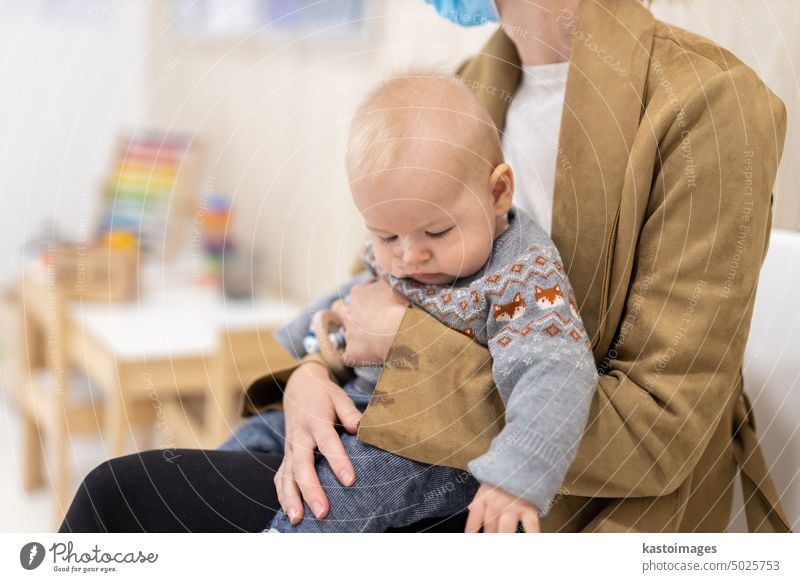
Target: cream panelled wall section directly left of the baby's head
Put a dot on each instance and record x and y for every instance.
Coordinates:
(274, 111)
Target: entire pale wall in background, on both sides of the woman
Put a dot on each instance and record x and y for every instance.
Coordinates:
(272, 111)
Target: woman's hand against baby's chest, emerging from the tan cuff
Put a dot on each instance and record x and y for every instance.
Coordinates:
(371, 320)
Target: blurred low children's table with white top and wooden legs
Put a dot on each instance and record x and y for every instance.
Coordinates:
(164, 344)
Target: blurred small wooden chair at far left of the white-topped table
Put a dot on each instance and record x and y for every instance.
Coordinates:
(56, 402)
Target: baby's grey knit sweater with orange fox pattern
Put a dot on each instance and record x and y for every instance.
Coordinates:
(521, 306)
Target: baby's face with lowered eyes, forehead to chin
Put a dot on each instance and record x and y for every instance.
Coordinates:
(431, 224)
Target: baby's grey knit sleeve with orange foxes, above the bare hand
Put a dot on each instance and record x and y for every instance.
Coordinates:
(546, 376)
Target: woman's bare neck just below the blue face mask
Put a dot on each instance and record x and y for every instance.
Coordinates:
(542, 30)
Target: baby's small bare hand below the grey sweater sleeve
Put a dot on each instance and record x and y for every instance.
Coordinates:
(499, 511)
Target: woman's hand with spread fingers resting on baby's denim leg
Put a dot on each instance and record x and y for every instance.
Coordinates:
(312, 403)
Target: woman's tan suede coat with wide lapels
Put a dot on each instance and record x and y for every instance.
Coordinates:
(668, 152)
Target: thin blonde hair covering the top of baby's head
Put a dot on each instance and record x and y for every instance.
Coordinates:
(414, 110)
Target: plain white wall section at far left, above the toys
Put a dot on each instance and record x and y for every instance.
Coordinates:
(71, 74)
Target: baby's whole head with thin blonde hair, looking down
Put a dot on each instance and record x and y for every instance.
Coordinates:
(427, 174)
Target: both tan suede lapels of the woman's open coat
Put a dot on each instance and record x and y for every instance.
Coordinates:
(611, 47)
